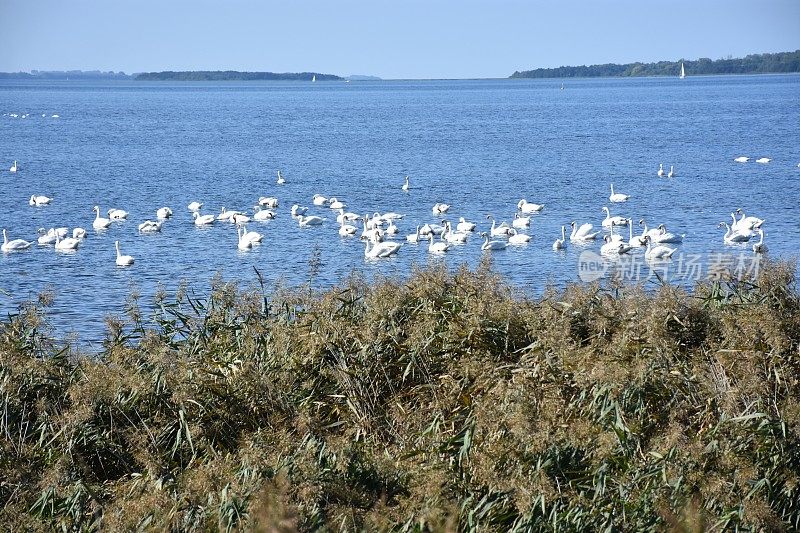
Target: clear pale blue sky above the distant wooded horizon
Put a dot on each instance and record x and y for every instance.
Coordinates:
(390, 39)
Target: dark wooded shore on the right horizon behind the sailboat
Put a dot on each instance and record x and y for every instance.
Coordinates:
(781, 62)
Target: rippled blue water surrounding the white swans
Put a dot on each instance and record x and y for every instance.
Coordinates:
(477, 145)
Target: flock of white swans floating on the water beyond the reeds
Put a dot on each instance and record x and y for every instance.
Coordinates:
(381, 234)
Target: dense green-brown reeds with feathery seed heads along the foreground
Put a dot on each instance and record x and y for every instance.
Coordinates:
(441, 402)
